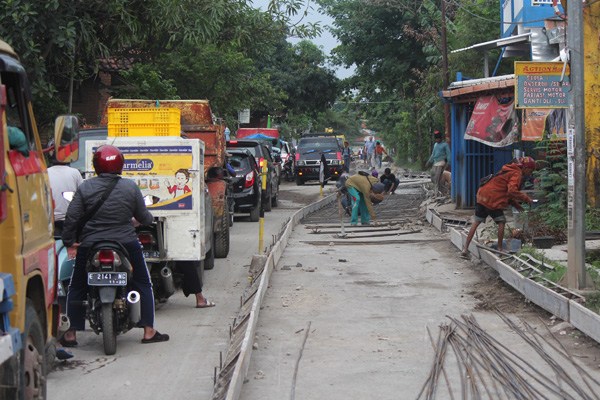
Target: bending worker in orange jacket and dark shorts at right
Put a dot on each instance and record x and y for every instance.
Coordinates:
(497, 194)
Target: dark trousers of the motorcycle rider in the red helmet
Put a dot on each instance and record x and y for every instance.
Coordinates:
(78, 288)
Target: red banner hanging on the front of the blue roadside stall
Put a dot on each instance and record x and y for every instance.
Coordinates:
(493, 123)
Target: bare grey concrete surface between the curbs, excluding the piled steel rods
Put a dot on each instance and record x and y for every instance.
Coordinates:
(348, 321)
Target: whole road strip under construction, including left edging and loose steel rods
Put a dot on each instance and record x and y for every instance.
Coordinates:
(390, 311)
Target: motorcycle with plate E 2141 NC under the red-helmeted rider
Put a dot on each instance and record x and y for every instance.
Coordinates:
(112, 306)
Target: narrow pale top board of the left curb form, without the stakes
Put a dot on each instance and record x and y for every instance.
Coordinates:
(240, 369)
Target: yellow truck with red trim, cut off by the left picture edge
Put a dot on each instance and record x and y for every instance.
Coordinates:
(26, 235)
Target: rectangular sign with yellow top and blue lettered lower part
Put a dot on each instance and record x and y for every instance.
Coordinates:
(539, 85)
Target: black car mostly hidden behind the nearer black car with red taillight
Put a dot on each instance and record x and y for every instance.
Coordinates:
(263, 155)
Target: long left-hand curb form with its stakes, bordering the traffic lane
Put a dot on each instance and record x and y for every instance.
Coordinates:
(232, 375)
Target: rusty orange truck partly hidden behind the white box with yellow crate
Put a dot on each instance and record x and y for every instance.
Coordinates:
(197, 123)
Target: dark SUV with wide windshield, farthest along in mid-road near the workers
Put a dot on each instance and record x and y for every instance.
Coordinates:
(308, 158)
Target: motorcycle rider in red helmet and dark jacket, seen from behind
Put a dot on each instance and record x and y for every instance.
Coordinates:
(112, 221)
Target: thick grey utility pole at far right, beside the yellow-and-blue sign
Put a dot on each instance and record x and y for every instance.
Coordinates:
(576, 275)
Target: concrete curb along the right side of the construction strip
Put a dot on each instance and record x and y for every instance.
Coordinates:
(558, 304)
